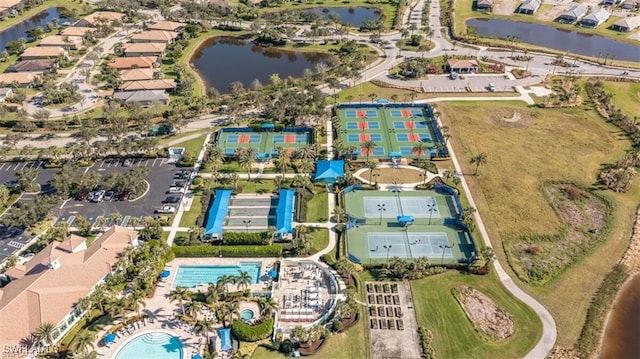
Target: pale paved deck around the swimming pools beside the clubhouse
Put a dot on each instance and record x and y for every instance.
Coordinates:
(161, 311)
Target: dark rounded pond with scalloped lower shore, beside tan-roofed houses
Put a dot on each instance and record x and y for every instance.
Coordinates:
(223, 60)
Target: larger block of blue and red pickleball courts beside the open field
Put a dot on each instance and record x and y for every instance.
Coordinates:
(395, 129)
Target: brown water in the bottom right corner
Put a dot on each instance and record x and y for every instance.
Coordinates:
(621, 333)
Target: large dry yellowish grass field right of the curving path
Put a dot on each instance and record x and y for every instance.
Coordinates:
(545, 145)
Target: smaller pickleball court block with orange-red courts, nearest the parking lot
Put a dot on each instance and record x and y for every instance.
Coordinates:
(264, 143)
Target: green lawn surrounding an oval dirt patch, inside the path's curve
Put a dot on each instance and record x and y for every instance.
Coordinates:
(453, 334)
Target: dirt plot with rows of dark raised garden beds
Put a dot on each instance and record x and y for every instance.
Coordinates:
(392, 321)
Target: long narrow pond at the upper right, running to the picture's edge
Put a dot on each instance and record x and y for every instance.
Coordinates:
(558, 39)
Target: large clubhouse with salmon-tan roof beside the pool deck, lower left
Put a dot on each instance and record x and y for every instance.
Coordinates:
(47, 288)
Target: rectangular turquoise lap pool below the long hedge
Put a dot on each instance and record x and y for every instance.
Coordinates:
(192, 276)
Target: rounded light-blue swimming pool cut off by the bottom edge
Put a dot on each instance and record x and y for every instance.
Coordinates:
(152, 345)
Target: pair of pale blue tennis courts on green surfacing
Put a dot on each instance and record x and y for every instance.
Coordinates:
(374, 234)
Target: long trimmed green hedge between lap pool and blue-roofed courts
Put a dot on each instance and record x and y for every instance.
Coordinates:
(228, 251)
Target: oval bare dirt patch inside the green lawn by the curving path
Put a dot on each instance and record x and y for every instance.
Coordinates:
(485, 315)
